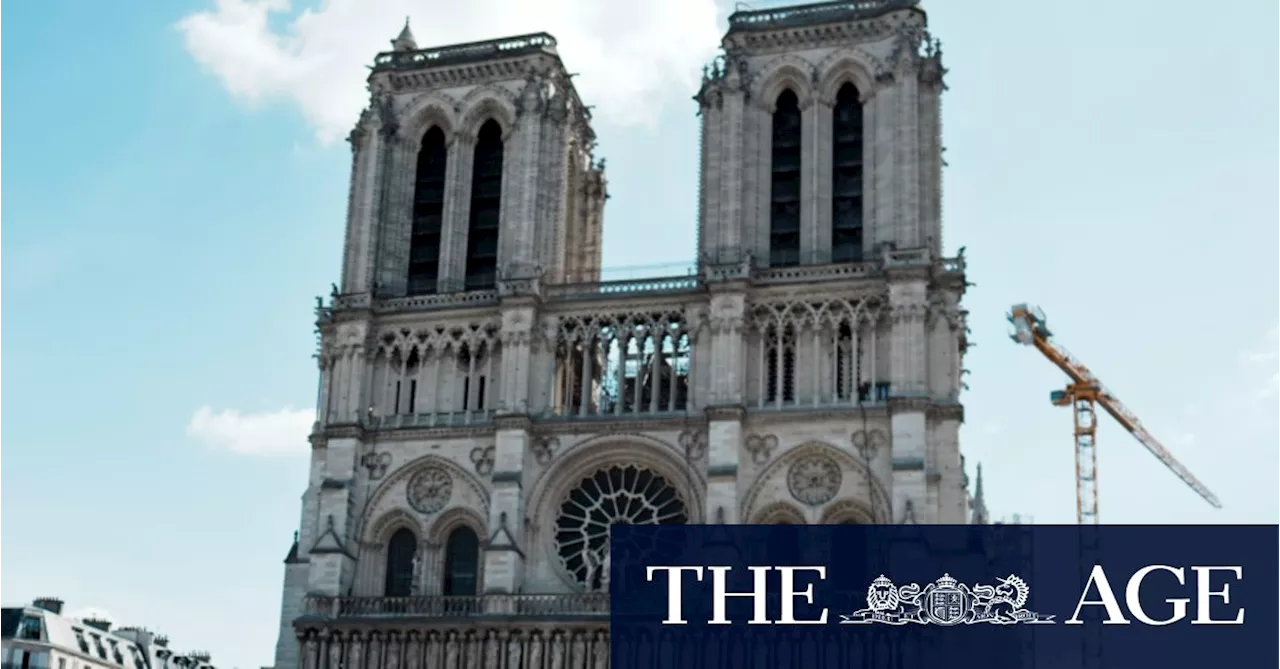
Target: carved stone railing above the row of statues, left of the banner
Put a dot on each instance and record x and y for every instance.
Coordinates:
(559, 606)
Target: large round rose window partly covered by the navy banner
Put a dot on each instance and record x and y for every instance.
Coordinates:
(619, 494)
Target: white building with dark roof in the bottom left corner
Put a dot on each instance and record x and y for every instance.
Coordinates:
(42, 638)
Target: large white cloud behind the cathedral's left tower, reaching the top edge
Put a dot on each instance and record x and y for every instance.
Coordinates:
(633, 58)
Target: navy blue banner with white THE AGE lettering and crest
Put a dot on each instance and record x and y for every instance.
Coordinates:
(945, 597)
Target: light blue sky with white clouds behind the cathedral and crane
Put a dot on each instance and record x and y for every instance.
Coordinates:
(175, 196)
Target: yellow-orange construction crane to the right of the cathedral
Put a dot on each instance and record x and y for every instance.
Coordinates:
(1084, 393)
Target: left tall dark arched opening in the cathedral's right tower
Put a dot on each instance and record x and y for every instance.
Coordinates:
(785, 190)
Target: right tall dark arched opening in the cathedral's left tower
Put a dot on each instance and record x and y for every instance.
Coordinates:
(486, 203)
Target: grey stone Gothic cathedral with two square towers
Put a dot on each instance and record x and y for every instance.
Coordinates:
(490, 406)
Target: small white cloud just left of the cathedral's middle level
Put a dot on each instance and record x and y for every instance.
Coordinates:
(280, 433)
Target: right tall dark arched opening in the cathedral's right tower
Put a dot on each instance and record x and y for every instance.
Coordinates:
(847, 177)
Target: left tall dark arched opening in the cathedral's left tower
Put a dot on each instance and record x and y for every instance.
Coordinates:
(424, 251)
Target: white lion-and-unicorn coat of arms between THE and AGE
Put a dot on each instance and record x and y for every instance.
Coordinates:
(947, 602)
